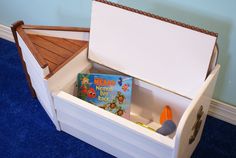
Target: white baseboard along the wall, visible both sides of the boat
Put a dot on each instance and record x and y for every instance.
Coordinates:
(220, 110)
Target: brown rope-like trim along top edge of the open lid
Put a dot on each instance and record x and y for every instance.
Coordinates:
(159, 18)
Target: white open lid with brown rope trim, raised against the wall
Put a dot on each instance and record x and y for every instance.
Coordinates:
(160, 51)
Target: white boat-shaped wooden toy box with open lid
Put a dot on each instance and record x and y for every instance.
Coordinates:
(125, 41)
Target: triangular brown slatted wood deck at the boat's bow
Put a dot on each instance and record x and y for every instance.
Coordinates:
(56, 51)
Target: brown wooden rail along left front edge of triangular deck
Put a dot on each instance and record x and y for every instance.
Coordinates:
(33, 50)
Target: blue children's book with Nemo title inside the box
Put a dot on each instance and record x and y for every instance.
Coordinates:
(110, 92)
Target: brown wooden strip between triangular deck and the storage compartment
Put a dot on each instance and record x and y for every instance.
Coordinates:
(67, 61)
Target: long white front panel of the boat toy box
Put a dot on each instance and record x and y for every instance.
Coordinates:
(117, 131)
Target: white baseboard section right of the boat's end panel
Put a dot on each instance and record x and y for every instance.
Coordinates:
(223, 111)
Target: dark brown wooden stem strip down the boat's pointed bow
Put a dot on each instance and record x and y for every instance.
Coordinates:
(13, 28)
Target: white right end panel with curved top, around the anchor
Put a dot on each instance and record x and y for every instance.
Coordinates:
(185, 128)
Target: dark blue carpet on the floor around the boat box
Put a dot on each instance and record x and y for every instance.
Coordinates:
(26, 130)
